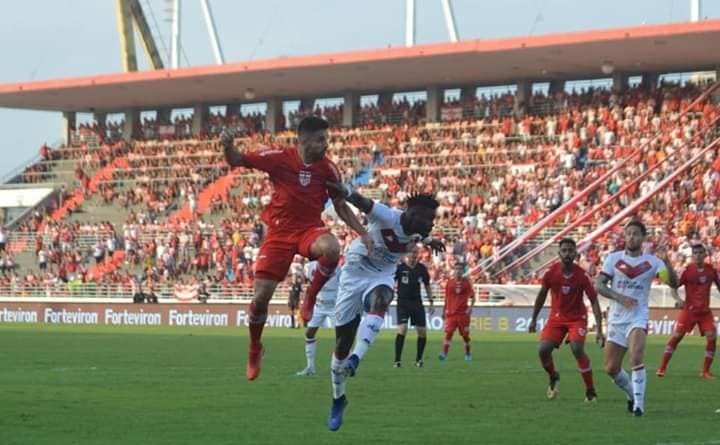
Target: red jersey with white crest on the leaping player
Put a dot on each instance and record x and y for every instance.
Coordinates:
(300, 193)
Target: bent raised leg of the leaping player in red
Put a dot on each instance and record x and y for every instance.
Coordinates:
(324, 248)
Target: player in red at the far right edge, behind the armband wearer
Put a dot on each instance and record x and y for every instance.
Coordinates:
(698, 278)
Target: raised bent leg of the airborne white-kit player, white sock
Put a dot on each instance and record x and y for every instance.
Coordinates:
(378, 300)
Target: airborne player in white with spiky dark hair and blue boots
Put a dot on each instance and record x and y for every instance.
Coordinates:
(367, 281)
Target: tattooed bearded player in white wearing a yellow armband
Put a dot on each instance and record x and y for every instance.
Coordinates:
(631, 273)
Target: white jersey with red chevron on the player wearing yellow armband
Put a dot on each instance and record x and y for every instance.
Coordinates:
(632, 277)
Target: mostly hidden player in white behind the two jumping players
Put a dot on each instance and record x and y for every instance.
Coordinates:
(323, 315)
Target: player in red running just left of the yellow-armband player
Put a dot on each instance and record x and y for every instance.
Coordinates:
(567, 282)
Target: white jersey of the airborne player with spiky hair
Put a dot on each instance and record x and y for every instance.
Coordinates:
(391, 242)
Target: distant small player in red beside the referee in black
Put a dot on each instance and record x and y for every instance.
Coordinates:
(456, 312)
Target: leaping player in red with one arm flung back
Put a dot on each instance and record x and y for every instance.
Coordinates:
(299, 175)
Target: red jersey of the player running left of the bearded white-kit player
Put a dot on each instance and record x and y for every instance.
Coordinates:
(567, 292)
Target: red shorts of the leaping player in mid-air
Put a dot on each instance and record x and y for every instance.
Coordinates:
(279, 249)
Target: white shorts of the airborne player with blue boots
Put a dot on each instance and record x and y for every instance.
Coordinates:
(355, 285)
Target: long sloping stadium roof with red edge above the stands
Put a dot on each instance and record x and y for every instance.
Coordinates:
(676, 47)
